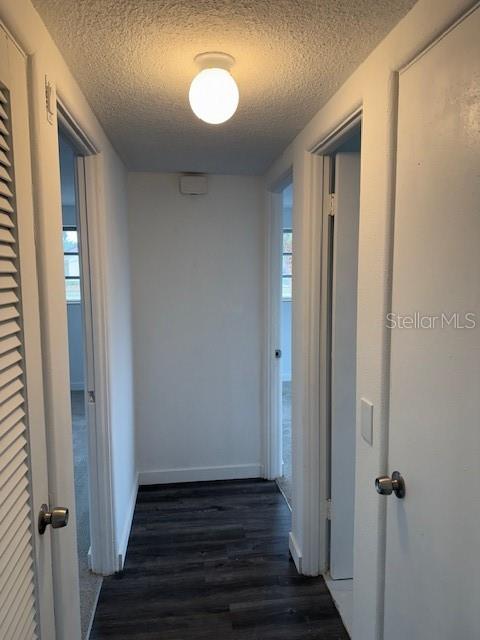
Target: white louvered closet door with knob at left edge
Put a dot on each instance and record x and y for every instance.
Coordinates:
(25, 559)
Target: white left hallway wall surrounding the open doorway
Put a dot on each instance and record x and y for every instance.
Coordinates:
(26, 26)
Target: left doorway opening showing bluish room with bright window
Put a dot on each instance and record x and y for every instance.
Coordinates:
(77, 291)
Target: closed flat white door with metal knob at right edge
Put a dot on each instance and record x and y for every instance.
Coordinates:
(432, 589)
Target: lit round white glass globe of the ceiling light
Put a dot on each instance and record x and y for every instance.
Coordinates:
(214, 95)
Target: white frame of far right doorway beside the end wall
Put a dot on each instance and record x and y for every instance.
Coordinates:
(273, 252)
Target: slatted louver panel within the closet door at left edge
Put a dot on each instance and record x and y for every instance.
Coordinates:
(17, 577)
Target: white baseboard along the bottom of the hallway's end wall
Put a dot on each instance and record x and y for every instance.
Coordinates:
(199, 474)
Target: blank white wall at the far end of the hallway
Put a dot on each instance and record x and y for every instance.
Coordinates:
(197, 291)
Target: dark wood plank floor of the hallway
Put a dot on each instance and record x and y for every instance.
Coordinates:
(210, 561)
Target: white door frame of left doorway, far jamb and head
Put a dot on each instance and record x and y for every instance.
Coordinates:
(102, 558)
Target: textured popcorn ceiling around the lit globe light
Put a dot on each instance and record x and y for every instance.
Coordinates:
(134, 61)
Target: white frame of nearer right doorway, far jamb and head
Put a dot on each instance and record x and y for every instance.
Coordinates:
(318, 471)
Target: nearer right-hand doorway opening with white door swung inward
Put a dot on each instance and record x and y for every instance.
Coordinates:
(342, 224)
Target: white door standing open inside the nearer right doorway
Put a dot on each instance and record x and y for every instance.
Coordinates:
(344, 362)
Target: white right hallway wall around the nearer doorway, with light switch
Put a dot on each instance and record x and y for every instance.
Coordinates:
(373, 88)
